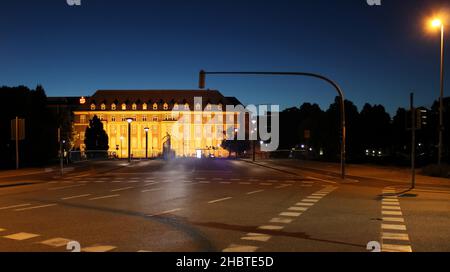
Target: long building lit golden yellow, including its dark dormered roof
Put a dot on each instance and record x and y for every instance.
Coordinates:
(193, 121)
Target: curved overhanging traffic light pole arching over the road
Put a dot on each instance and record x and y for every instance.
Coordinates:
(202, 80)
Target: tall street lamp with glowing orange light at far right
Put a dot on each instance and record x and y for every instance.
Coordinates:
(438, 23)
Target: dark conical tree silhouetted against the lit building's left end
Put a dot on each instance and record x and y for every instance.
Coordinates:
(96, 138)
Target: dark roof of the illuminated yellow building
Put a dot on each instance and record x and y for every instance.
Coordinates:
(160, 97)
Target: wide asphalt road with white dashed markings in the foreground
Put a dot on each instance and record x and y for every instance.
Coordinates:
(217, 205)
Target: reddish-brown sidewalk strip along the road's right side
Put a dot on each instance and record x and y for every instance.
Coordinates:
(391, 174)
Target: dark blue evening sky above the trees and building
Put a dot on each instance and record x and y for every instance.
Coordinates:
(377, 54)
